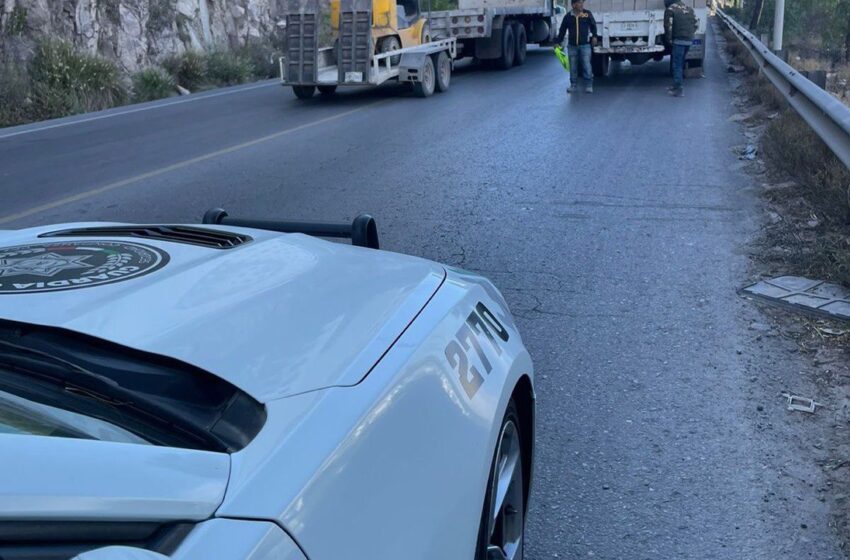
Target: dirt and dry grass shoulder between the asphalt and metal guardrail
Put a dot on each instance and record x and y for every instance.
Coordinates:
(804, 232)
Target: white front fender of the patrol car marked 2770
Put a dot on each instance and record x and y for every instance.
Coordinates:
(360, 461)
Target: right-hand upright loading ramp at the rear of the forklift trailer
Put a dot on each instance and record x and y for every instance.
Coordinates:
(355, 41)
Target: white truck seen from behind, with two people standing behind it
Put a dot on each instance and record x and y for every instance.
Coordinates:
(633, 30)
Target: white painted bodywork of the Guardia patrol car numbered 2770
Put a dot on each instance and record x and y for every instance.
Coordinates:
(375, 445)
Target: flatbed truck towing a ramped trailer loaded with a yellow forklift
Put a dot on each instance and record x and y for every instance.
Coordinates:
(377, 41)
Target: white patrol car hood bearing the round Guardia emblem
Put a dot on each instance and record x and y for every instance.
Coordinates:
(278, 315)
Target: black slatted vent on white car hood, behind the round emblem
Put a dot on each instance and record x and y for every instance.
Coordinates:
(204, 237)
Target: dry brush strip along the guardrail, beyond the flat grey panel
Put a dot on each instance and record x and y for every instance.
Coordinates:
(807, 187)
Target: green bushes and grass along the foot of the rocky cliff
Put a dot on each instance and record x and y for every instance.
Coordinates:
(58, 80)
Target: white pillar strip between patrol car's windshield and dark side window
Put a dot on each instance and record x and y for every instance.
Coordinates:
(57, 478)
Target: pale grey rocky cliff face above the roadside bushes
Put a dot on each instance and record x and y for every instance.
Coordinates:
(138, 33)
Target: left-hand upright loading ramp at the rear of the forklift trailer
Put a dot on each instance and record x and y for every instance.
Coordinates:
(302, 41)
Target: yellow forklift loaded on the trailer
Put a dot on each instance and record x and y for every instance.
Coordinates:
(395, 24)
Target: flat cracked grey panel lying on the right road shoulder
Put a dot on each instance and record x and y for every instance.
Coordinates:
(812, 296)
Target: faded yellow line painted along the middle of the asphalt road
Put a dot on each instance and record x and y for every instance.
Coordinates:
(179, 165)
